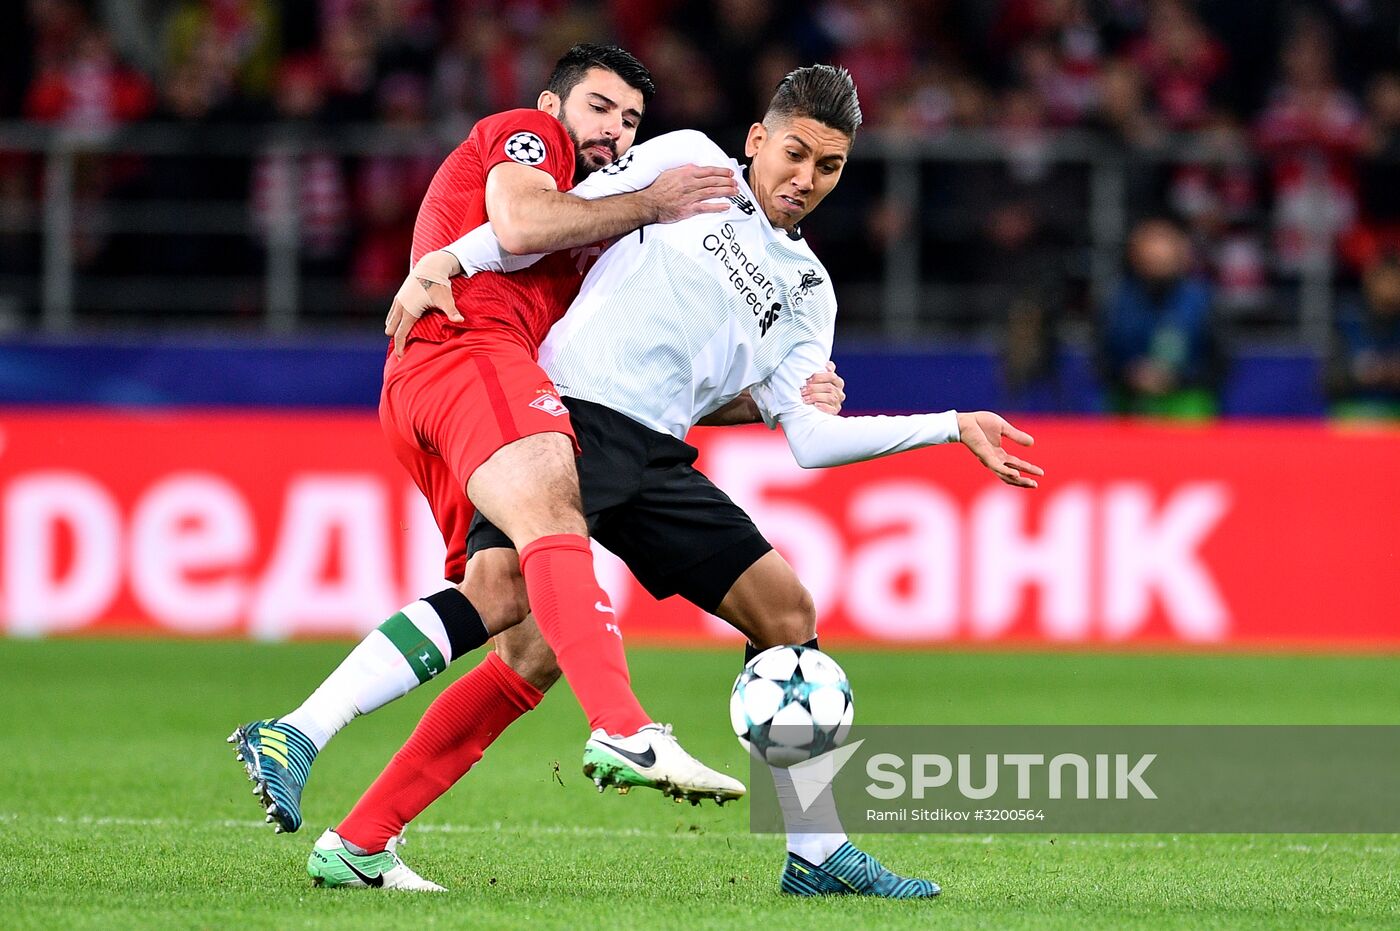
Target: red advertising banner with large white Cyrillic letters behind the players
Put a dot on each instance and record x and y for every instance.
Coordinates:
(293, 526)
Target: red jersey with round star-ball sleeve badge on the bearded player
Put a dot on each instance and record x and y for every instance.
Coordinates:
(526, 303)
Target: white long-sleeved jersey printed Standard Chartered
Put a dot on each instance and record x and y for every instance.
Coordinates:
(677, 320)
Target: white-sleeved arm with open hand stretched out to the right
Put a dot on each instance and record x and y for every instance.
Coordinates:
(821, 440)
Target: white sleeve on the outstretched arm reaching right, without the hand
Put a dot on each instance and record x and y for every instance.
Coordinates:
(820, 440)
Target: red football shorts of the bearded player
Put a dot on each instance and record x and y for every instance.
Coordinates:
(449, 407)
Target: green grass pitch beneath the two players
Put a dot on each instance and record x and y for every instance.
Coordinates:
(124, 807)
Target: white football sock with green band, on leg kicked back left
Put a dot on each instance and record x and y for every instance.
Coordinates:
(394, 660)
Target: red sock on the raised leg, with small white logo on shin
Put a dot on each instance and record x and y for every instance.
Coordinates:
(579, 624)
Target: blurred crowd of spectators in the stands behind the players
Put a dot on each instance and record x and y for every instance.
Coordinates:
(1256, 141)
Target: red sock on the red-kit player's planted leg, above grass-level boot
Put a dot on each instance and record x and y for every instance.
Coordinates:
(450, 740)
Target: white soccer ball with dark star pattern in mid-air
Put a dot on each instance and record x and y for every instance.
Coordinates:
(790, 705)
